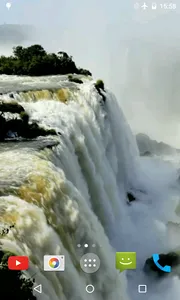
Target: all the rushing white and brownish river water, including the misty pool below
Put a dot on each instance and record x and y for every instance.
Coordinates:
(75, 192)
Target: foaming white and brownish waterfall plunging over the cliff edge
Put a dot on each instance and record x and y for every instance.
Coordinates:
(67, 195)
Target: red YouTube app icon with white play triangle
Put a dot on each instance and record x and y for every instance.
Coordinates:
(20, 263)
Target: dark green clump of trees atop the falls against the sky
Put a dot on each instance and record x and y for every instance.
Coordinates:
(35, 61)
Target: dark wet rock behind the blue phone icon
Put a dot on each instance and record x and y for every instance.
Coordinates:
(171, 259)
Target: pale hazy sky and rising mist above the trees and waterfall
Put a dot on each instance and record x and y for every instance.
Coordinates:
(124, 46)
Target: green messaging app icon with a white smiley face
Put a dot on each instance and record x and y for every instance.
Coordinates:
(125, 261)
